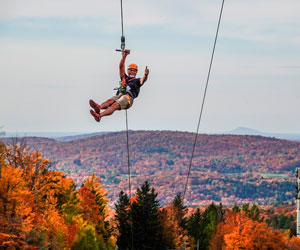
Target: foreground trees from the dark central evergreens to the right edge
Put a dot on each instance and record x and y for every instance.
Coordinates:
(143, 225)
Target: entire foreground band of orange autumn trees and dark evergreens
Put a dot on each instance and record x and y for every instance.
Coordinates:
(43, 209)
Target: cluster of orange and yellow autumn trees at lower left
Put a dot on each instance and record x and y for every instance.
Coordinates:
(42, 209)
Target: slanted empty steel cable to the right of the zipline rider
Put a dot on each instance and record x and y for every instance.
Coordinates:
(203, 102)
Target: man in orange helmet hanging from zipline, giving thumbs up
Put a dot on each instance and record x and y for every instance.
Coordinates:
(129, 90)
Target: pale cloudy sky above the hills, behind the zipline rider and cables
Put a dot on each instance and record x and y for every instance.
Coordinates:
(57, 54)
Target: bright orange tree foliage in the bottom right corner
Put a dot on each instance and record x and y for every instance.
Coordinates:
(238, 231)
